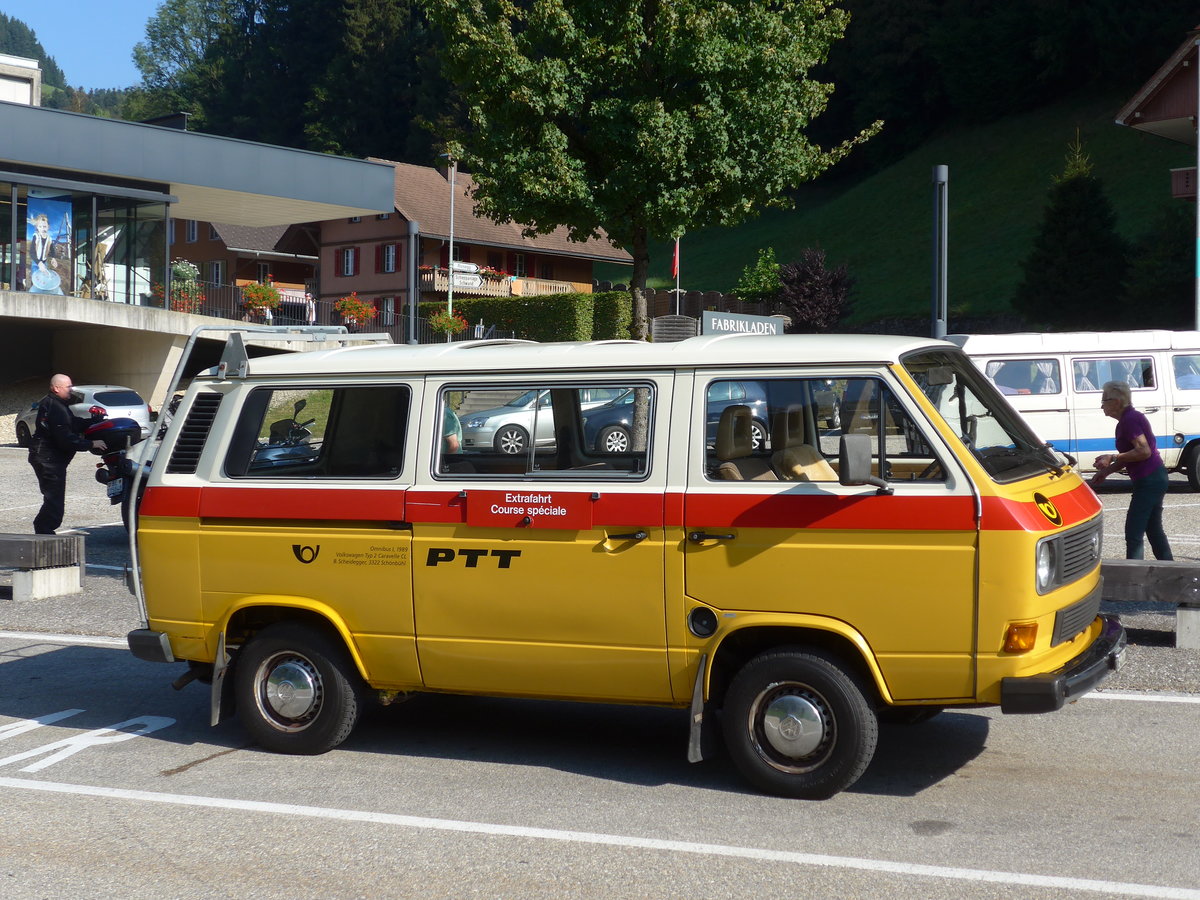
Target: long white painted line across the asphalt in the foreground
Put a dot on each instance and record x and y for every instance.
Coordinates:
(617, 841)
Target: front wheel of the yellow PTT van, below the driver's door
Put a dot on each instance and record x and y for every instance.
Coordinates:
(797, 724)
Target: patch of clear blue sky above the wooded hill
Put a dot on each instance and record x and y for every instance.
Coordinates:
(92, 43)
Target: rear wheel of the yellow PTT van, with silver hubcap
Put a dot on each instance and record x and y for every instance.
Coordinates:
(297, 691)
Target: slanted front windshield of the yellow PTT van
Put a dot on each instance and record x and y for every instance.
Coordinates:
(983, 421)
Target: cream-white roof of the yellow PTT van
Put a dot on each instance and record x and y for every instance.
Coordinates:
(592, 356)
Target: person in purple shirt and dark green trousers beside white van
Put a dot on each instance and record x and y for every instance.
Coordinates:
(1138, 455)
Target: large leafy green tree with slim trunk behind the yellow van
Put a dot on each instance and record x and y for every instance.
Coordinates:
(643, 118)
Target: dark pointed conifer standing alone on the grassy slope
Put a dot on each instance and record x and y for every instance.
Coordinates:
(1076, 274)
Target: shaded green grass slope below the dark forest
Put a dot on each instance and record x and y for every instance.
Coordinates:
(881, 227)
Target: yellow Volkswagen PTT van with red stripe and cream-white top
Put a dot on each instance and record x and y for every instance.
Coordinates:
(698, 530)
